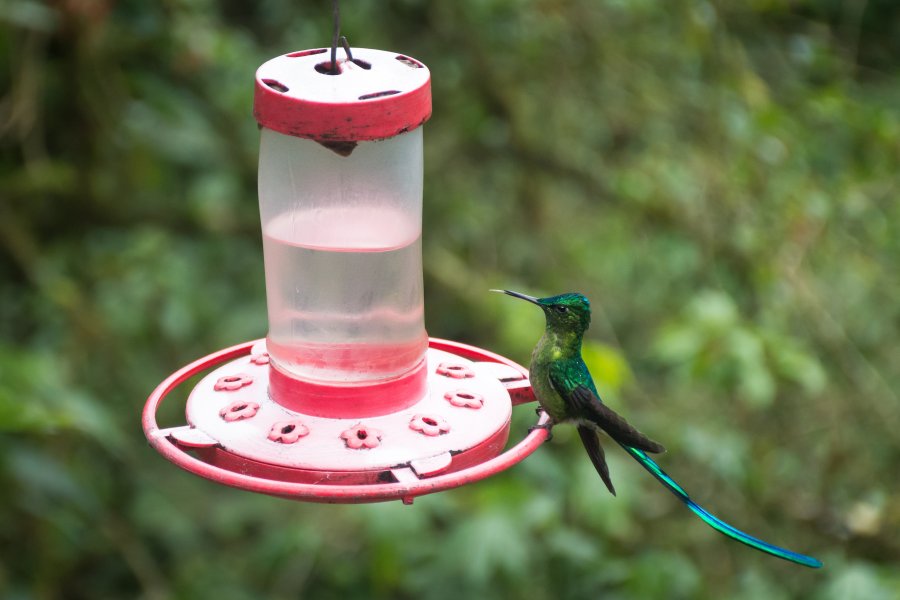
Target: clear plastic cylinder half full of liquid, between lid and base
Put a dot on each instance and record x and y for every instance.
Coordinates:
(342, 237)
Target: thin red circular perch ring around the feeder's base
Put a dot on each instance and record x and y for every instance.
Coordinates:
(378, 492)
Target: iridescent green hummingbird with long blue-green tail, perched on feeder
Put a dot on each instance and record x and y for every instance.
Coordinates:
(566, 392)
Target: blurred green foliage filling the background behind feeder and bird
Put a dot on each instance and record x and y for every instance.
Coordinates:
(721, 178)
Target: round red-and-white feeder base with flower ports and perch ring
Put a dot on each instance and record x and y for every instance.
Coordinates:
(452, 434)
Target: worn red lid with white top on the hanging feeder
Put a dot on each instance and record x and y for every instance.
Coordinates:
(375, 96)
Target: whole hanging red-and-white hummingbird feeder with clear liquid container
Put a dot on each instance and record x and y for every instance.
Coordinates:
(346, 400)
